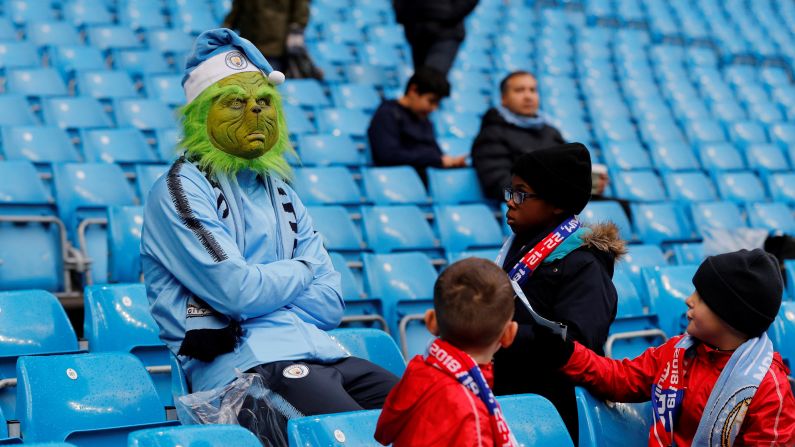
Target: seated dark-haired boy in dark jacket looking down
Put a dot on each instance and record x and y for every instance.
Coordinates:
(400, 132)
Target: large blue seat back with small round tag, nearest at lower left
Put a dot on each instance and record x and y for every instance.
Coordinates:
(54, 392)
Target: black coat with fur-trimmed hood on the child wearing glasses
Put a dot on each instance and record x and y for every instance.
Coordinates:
(576, 290)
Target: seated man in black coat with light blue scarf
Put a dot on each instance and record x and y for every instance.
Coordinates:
(508, 131)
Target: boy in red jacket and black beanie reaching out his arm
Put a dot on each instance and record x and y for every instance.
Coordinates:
(721, 383)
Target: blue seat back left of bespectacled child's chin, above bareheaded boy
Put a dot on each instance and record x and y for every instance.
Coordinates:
(467, 227)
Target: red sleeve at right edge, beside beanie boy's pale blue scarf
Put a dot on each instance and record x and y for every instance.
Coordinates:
(771, 417)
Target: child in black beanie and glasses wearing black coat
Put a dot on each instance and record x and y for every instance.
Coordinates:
(568, 278)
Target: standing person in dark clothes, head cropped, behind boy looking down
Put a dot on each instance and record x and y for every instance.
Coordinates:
(434, 29)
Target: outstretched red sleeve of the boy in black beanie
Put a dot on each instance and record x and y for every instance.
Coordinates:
(618, 380)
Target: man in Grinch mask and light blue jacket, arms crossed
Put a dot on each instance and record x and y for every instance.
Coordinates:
(236, 275)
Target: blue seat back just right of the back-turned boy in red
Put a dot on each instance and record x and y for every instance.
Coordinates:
(534, 420)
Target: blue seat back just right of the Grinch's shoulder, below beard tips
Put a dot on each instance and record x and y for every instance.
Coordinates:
(312, 185)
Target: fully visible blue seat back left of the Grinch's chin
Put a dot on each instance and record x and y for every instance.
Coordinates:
(122, 146)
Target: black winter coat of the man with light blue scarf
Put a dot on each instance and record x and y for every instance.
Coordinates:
(499, 144)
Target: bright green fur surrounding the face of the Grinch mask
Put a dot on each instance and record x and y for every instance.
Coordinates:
(198, 147)
